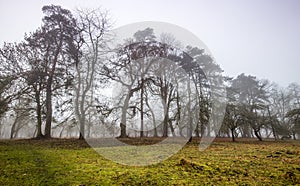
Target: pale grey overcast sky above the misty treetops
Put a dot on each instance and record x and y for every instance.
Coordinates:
(257, 37)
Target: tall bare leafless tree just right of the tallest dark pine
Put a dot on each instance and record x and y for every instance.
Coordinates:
(94, 26)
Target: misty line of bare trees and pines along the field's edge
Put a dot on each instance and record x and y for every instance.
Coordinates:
(59, 76)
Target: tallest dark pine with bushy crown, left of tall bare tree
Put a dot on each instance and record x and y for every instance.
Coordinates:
(56, 41)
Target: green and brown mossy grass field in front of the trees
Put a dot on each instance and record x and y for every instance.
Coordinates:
(73, 162)
